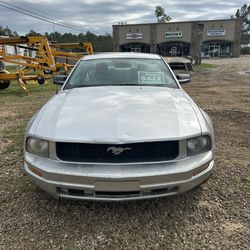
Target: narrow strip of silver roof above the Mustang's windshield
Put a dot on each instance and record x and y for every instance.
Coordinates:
(121, 55)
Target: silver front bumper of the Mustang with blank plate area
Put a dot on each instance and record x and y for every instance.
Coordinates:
(117, 182)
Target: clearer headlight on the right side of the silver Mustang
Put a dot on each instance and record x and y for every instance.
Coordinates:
(198, 145)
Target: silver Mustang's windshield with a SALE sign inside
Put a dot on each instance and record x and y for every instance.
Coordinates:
(121, 71)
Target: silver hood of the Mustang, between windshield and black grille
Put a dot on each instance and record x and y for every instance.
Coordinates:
(117, 114)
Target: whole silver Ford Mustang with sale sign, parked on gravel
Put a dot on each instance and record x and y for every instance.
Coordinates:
(121, 128)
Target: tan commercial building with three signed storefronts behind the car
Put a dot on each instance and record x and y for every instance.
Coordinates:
(213, 38)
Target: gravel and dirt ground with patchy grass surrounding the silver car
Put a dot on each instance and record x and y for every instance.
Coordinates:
(215, 215)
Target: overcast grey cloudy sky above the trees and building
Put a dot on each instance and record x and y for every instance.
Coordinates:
(98, 16)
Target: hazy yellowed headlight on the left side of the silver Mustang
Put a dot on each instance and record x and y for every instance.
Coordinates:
(37, 146)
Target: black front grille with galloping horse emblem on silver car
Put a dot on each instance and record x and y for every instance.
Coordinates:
(121, 153)
